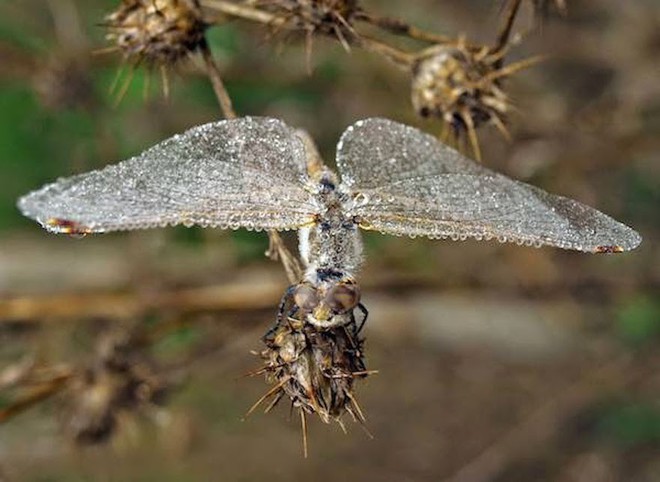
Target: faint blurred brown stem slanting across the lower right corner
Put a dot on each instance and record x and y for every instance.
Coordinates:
(546, 420)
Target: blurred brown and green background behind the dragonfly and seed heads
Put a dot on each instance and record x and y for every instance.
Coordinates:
(496, 362)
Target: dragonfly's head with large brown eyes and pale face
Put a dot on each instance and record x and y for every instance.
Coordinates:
(325, 304)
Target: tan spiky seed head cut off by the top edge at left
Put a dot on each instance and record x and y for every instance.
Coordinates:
(157, 32)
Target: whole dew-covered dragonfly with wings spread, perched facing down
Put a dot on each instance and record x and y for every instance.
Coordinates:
(259, 173)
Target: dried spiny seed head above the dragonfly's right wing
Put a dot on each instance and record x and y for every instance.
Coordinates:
(462, 85)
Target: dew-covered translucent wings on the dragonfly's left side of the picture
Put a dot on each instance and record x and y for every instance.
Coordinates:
(248, 172)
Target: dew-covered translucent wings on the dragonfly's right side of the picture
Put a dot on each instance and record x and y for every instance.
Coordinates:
(406, 182)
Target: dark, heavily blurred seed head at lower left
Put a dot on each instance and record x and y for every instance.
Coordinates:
(120, 379)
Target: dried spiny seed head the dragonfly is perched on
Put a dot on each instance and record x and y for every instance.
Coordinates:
(315, 368)
